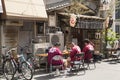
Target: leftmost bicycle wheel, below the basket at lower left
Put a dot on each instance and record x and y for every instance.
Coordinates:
(8, 69)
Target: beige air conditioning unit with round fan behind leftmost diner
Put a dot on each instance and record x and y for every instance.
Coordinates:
(56, 37)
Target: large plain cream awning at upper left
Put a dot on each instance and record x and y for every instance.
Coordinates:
(25, 9)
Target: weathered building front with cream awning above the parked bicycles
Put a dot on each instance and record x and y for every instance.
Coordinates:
(21, 22)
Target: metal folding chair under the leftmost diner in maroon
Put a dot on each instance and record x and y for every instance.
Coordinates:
(59, 66)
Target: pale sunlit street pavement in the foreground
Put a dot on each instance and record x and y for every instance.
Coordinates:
(103, 71)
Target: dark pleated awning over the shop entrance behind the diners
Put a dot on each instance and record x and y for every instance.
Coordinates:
(87, 22)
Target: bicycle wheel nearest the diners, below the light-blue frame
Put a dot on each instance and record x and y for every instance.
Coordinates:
(27, 70)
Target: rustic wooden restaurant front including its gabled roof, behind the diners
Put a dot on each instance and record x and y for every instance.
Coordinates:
(61, 16)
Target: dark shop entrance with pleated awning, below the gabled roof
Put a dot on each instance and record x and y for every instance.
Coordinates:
(85, 27)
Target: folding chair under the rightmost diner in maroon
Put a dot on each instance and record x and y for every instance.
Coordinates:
(90, 62)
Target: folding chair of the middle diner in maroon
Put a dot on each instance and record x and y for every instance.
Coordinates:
(78, 63)
